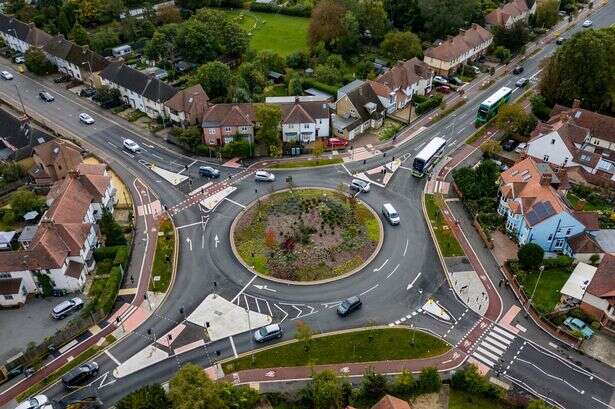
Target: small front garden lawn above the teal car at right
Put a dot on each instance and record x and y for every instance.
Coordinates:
(548, 291)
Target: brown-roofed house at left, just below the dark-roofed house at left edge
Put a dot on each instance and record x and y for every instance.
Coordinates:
(53, 161)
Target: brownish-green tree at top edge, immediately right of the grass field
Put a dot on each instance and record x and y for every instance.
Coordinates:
(326, 22)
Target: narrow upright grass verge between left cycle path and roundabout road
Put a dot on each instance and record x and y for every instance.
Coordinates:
(163, 259)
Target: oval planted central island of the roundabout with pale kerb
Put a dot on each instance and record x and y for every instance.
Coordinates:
(306, 235)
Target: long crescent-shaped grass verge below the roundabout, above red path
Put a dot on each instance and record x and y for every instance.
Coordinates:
(356, 346)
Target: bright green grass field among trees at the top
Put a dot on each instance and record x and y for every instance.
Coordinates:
(276, 32)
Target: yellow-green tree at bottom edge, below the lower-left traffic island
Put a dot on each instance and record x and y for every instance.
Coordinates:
(191, 388)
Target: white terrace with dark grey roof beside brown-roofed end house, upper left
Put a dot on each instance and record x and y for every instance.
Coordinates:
(140, 91)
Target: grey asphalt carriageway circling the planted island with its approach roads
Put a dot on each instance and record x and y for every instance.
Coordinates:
(383, 284)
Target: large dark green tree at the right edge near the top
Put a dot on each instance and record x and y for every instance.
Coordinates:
(582, 68)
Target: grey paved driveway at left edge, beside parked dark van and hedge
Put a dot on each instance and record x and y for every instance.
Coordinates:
(30, 323)
